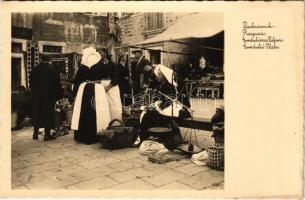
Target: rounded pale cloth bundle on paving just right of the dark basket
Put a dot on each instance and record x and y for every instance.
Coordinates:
(151, 147)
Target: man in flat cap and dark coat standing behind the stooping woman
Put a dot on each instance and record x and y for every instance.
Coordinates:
(138, 70)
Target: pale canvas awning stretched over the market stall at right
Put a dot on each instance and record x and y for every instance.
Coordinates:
(197, 25)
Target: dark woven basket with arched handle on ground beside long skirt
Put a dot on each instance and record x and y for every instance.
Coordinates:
(117, 137)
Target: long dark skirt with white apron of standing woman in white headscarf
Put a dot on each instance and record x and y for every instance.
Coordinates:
(94, 108)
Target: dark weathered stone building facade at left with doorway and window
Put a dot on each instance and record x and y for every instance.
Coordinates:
(55, 34)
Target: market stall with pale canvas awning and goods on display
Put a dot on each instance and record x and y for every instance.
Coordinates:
(182, 45)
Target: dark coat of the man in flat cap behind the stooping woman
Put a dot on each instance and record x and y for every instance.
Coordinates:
(137, 70)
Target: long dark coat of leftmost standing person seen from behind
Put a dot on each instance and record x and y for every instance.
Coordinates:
(46, 90)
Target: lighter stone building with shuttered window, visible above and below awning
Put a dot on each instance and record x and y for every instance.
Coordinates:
(138, 27)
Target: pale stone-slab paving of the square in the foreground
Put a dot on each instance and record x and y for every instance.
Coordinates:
(65, 164)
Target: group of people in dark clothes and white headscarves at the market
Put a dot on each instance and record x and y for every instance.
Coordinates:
(101, 89)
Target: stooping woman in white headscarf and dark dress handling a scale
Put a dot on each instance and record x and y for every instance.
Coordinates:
(160, 112)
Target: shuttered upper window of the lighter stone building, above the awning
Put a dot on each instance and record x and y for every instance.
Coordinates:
(154, 21)
